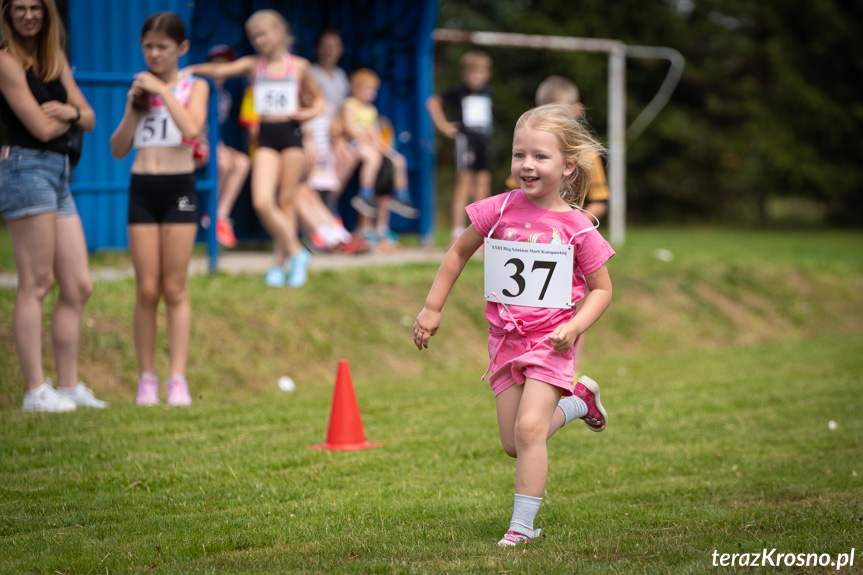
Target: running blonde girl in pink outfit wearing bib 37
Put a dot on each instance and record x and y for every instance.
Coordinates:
(542, 255)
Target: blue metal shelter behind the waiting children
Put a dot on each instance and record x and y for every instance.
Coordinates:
(392, 37)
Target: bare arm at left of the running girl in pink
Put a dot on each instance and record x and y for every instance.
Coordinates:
(428, 320)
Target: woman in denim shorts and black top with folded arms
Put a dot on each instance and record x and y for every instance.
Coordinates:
(39, 103)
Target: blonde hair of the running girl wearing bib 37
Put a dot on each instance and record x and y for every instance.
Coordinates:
(575, 140)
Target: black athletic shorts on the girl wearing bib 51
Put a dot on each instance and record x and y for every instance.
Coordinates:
(163, 199)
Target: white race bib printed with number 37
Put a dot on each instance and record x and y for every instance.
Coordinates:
(528, 274)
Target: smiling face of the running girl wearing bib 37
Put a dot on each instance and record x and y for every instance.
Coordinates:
(538, 164)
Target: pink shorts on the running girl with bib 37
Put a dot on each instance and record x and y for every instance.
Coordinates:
(514, 358)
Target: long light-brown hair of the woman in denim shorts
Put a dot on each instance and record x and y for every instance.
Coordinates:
(49, 44)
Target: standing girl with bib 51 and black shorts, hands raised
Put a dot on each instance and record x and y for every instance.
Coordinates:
(165, 112)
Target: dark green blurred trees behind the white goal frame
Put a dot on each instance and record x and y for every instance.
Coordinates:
(763, 128)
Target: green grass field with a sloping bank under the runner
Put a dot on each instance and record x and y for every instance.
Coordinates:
(721, 370)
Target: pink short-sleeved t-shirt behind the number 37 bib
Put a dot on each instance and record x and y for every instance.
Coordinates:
(524, 221)
